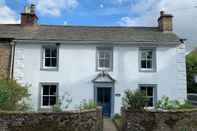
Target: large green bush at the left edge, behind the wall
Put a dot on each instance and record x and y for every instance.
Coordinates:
(13, 96)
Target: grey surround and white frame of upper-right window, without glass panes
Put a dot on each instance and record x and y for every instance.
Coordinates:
(153, 59)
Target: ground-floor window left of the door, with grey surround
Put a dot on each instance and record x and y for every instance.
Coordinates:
(48, 94)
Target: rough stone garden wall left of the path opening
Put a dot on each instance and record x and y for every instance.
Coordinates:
(87, 120)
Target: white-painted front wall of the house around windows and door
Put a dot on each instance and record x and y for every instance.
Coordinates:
(77, 68)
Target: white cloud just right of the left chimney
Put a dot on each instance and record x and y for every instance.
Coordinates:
(54, 7)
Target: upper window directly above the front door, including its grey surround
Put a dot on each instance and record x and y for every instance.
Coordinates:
(105, 58)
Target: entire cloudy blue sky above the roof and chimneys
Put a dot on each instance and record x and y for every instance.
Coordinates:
(108, 13)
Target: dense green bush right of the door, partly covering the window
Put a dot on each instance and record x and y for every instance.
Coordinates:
(135, 100)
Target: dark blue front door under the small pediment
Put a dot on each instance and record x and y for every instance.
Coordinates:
(104, 100)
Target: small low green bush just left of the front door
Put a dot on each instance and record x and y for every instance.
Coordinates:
(88, 104)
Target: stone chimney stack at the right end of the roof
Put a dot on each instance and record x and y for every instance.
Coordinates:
(165, 22)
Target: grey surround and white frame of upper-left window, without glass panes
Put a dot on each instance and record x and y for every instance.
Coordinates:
(44, 58)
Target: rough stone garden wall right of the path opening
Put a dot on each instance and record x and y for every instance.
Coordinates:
(159, 121)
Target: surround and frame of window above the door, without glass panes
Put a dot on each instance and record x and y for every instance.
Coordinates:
(108, 50)
